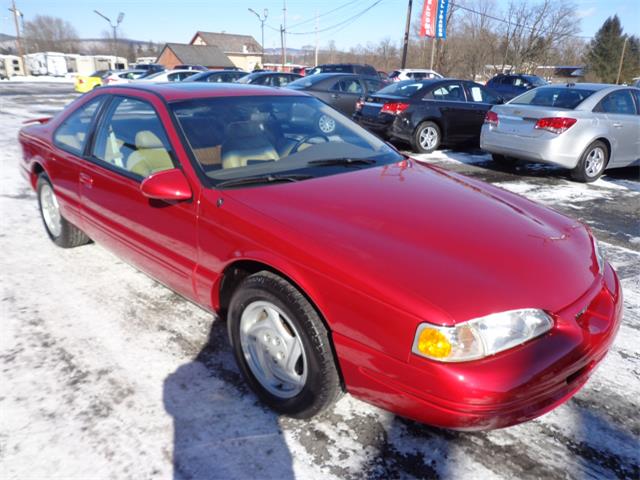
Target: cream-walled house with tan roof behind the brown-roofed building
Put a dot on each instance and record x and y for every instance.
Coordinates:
(243, 50)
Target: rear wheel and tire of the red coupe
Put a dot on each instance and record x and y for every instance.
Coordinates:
(60, 231)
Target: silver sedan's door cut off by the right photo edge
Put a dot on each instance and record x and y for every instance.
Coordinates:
(619, 112)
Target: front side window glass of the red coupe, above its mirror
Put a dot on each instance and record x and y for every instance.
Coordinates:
(132, 139)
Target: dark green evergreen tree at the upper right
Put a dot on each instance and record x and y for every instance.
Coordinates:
(604, 52)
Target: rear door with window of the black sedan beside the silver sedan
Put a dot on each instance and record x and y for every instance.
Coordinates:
(456, 113)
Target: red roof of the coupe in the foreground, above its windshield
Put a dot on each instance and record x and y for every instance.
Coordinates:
(174, 91)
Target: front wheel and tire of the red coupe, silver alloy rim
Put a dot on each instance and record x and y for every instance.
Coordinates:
(261, 301)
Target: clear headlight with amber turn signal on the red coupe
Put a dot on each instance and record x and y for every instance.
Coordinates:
(480, 337)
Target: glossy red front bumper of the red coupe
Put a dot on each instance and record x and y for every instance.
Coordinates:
(506, 389)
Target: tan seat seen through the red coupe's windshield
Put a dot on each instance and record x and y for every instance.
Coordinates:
(246, 142)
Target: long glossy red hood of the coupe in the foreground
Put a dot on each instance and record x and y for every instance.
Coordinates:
(436, 244)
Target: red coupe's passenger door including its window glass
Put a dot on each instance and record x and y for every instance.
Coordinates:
(130, 143)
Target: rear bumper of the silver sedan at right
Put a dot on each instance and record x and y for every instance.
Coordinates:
(547, 148)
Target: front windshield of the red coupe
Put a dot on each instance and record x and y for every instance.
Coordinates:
(241, 137)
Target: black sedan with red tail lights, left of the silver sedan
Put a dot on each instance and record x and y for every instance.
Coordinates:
(427, 114)
